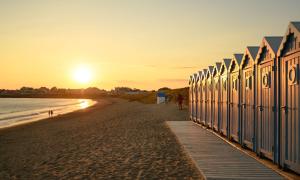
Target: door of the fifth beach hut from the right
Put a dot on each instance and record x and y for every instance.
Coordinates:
(223, 106)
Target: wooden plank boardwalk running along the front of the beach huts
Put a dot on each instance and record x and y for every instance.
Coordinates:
(215, 158)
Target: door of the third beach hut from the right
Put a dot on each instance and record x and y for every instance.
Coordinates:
(247, 107)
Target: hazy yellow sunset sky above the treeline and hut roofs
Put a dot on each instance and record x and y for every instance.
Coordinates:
(144, 44)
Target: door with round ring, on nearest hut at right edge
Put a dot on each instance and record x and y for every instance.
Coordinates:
(290, 110)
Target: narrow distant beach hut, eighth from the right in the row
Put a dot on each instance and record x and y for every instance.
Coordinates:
(203, 95)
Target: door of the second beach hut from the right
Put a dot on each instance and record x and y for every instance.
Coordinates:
(266, 109)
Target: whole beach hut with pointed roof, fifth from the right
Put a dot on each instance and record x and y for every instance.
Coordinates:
(224, 86)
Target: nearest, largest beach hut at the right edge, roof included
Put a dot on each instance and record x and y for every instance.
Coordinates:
(289, 58)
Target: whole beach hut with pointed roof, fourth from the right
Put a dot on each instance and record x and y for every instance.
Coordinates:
(234, 97)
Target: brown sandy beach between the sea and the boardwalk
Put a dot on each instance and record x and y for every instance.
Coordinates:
(113, 139)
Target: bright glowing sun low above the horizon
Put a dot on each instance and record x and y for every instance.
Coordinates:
(82, 74)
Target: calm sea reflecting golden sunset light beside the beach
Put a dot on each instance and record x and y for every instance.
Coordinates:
(15, 111)
